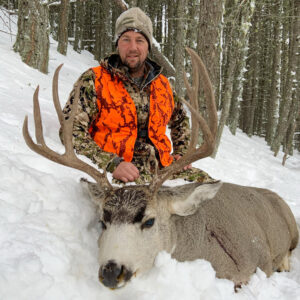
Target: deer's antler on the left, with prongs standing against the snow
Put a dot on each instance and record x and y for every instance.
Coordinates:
(69, 158)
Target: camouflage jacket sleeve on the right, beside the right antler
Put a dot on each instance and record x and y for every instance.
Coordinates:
(180, 127)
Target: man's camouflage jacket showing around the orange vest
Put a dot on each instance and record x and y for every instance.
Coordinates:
(139, 90)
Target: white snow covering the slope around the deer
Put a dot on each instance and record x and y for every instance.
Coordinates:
(48, 225)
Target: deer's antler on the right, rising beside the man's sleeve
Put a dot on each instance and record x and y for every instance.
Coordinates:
(208, 129)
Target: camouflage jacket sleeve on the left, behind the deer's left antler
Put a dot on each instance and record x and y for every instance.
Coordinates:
(85, 115)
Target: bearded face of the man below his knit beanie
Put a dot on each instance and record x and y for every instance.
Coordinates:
(133, 50)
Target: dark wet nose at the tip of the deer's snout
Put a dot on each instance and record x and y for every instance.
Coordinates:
(113, 276)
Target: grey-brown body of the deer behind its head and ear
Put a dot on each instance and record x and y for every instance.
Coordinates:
(239, 230)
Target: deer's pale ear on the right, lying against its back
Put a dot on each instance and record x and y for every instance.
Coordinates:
(185, 206)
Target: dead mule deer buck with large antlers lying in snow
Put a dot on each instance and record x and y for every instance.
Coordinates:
(237, 228)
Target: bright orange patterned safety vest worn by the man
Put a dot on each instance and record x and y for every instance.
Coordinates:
(115, 129)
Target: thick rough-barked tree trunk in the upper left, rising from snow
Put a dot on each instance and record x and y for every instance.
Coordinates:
(33, 37)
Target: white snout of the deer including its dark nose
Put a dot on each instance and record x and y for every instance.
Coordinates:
(125, 250)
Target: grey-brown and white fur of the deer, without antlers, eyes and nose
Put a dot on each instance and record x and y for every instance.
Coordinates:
(237, 228)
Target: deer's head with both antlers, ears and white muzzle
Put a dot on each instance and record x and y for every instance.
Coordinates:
(136, 220)
